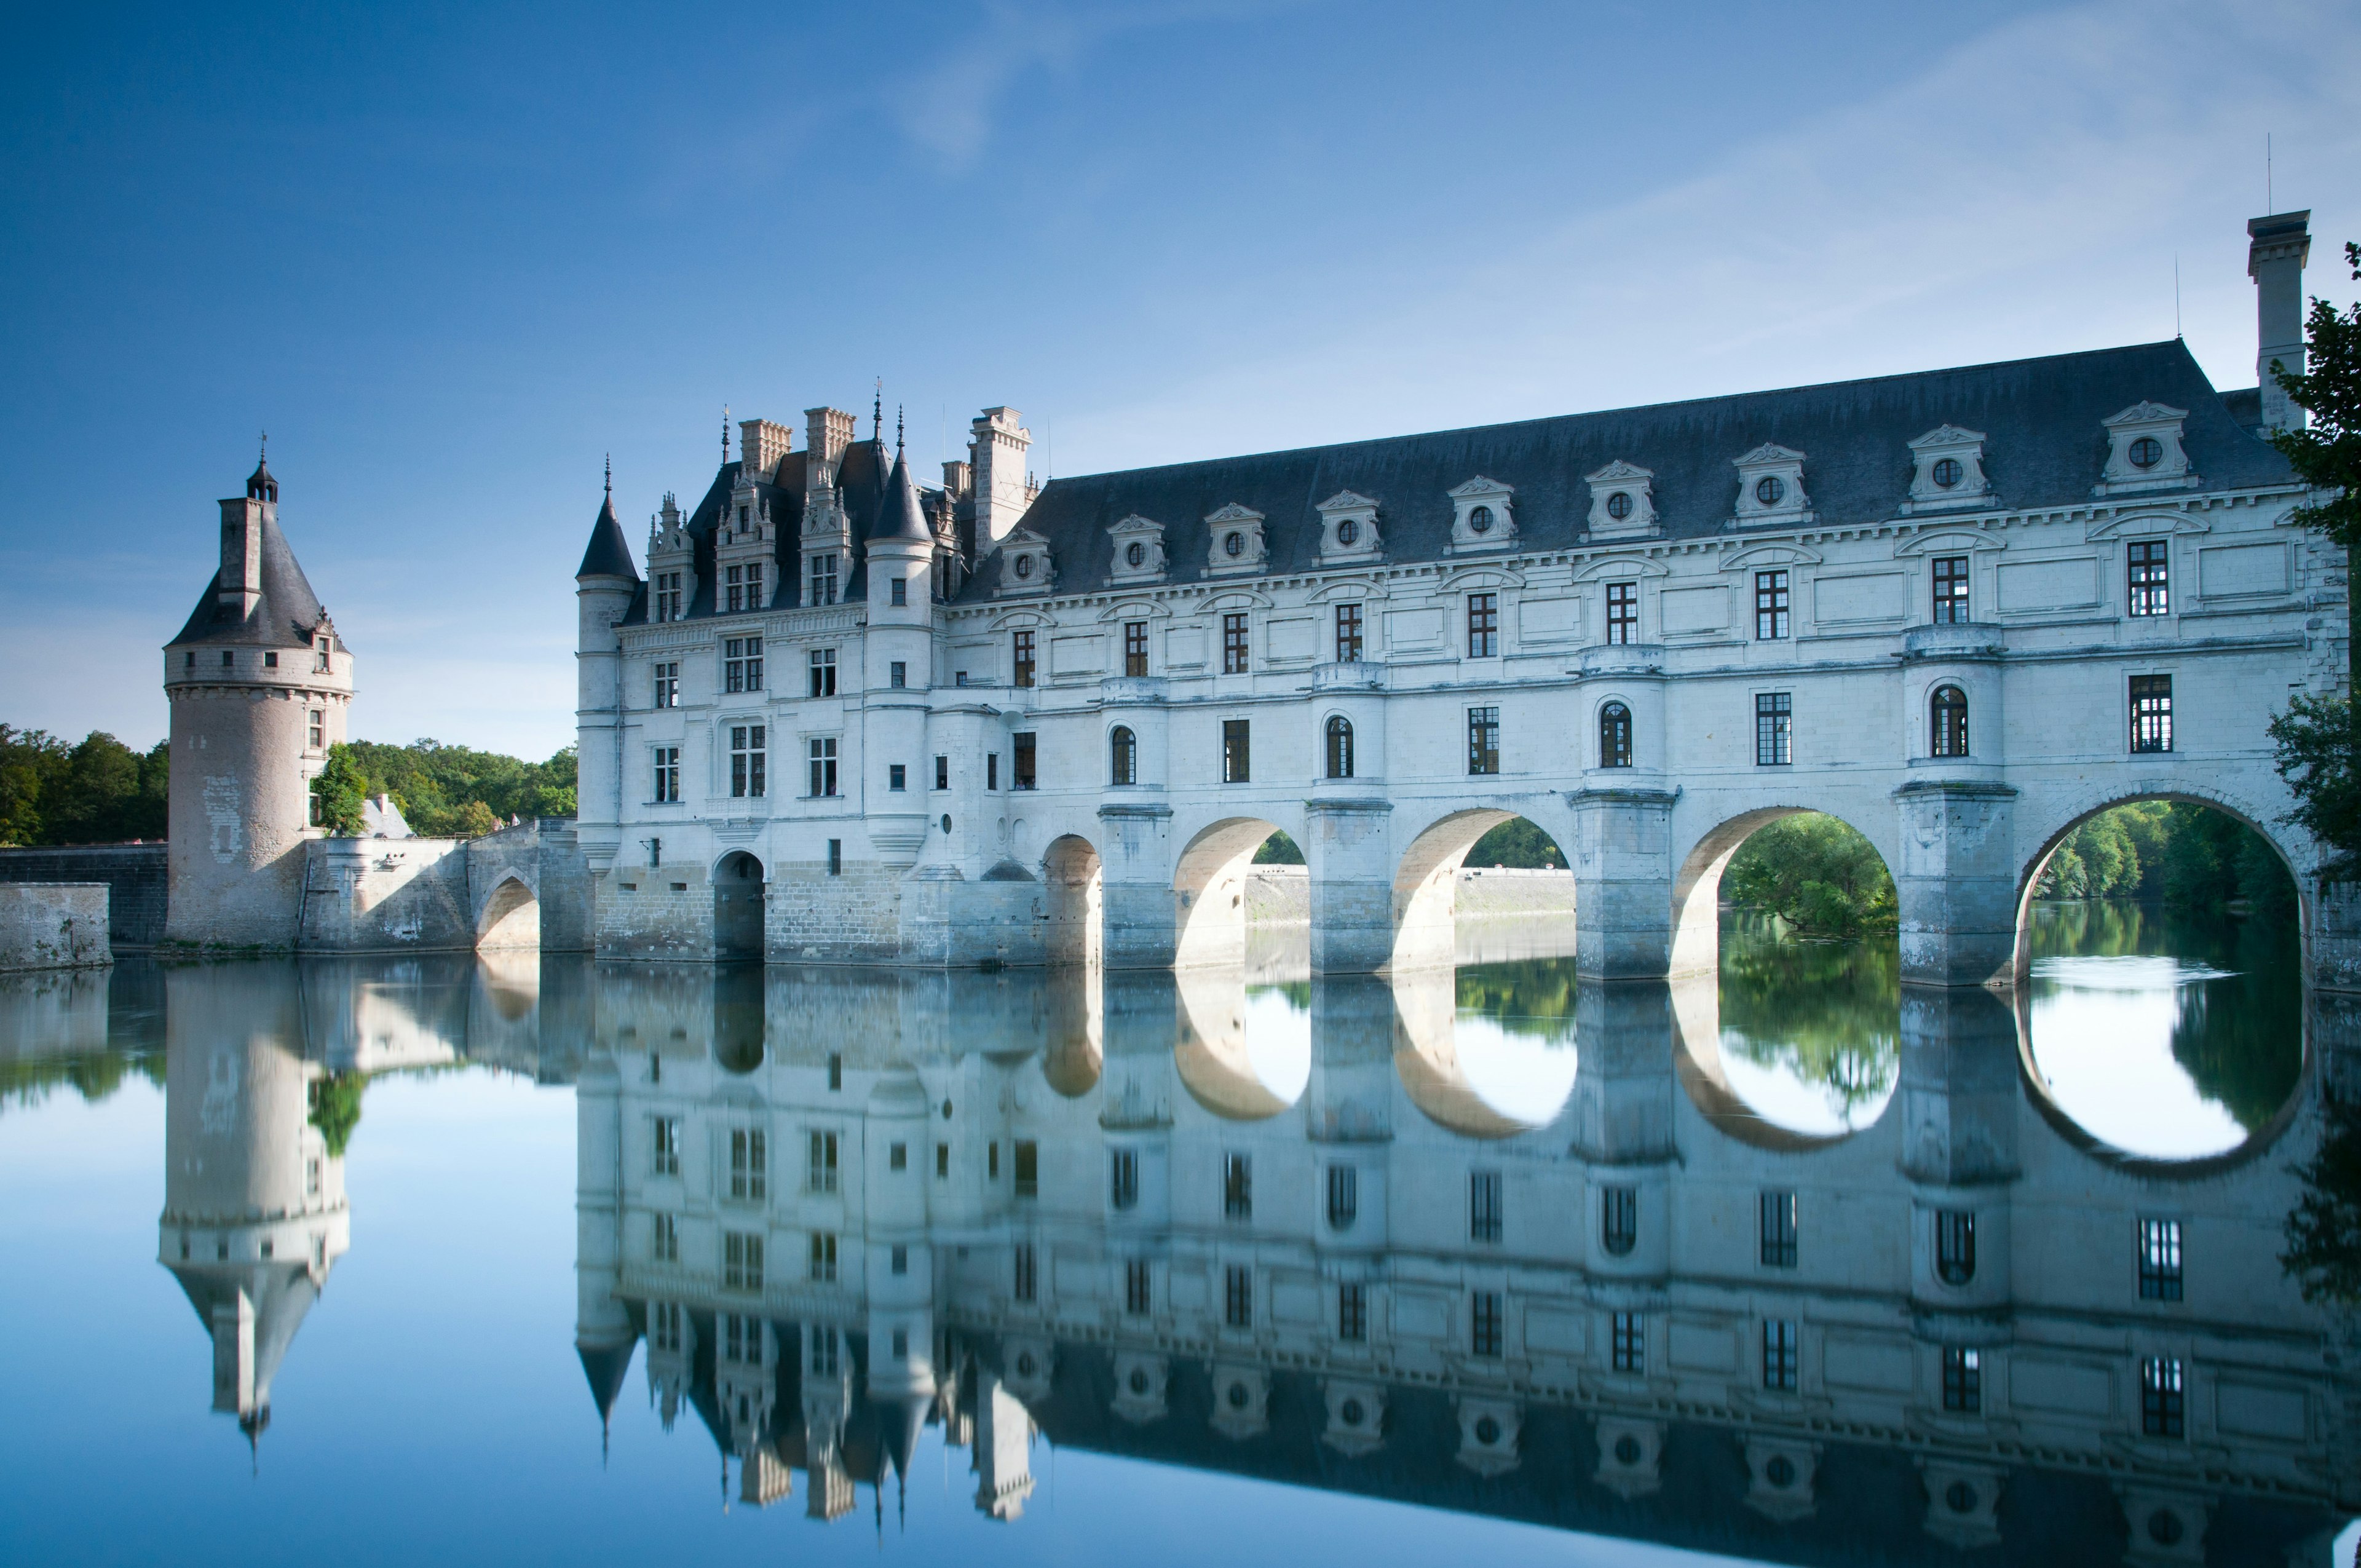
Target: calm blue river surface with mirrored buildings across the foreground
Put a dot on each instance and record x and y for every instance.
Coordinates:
(568, 1262)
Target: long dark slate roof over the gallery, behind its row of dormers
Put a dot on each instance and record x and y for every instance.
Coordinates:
(2041, 422)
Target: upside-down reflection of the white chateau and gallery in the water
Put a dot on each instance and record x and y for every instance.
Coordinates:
(1104, 1210)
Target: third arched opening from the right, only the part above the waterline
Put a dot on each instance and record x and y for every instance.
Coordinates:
(1482, 884)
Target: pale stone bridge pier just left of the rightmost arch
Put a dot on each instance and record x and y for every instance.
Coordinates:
(1958, 882)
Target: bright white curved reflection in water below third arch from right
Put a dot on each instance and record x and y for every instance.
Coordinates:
(1467, 1073)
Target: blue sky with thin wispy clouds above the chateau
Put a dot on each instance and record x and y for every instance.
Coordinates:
(454, 256)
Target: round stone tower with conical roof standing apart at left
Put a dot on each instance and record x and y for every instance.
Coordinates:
(259, 686)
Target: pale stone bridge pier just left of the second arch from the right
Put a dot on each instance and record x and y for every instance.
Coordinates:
(1623, 882)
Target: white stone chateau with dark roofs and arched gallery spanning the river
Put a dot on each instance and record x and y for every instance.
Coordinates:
(849, 717)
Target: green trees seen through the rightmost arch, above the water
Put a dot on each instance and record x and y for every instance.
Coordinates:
(2171, 851)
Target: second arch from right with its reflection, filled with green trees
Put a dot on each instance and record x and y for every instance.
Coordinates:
(1788, 991)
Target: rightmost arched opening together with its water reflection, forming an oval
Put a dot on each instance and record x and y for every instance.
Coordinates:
(2161, 979)
